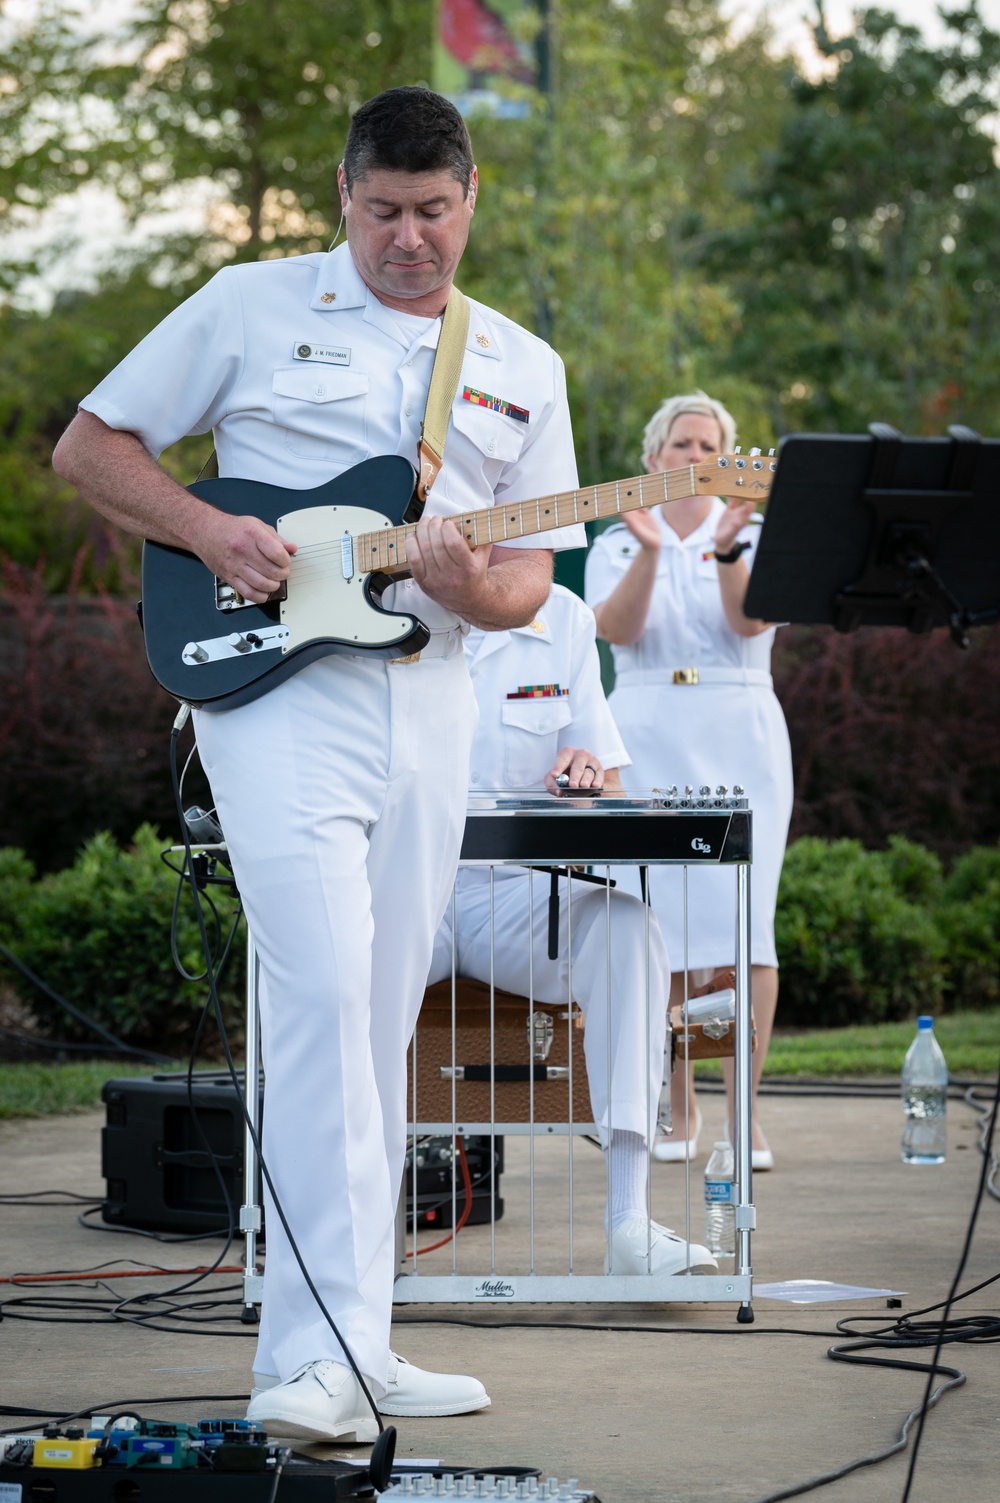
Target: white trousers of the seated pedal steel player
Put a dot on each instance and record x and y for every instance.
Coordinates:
(637, 1032)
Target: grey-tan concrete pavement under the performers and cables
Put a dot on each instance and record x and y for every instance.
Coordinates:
(683, 1405)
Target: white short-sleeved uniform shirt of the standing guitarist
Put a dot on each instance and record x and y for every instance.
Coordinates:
(231, 360)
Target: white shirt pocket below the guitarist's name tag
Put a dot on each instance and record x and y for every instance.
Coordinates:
(323, 413)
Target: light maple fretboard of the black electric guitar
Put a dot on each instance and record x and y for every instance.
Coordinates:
(387, 551)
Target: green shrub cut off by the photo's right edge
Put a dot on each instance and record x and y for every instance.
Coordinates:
(971, 922)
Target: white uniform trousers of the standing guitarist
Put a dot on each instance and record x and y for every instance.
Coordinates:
(342, 796)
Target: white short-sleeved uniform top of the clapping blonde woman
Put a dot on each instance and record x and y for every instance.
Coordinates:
(686, 626)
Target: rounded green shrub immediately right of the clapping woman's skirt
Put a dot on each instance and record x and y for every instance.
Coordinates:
(852, 945)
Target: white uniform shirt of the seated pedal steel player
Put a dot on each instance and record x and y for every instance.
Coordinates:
(518, 740)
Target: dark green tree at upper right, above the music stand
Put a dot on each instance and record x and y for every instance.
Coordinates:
(867, 268)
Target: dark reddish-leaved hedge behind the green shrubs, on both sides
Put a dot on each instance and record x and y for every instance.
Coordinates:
(891, 734)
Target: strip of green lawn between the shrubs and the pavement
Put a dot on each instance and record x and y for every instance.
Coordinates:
(971, 1042)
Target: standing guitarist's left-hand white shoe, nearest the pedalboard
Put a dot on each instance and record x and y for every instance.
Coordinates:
(321, 1402)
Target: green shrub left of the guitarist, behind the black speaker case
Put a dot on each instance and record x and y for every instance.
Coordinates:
(98, 933)
